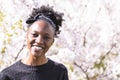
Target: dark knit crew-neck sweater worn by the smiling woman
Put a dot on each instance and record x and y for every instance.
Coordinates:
(48, 71)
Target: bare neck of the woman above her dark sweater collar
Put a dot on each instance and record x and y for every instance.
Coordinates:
(34, 61)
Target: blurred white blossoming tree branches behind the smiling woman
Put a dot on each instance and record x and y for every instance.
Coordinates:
(89, 43)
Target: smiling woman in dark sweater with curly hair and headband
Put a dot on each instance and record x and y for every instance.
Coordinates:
(43, 27)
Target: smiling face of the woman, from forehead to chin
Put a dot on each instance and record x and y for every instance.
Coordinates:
(40, 37)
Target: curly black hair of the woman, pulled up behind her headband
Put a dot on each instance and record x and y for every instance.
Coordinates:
(48, 12)
